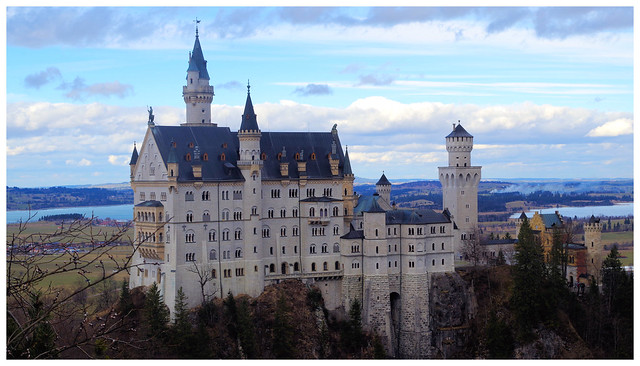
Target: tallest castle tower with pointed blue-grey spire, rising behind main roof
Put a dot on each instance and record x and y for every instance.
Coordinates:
(198, 94)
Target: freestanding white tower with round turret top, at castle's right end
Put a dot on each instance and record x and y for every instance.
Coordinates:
(460, 183)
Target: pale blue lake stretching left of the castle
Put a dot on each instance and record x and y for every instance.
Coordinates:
(117, 212)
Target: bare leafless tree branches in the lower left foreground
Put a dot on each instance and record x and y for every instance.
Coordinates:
(77, 249)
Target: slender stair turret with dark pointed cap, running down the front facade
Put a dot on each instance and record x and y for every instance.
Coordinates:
(250, 164)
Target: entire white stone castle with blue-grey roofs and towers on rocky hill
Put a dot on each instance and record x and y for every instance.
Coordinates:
(219, 211)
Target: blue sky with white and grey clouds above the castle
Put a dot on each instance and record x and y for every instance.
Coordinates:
(546, 92)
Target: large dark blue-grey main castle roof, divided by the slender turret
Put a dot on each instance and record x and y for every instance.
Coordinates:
(215, 141)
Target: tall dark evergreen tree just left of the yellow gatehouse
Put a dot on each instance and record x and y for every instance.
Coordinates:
(526, 297)
